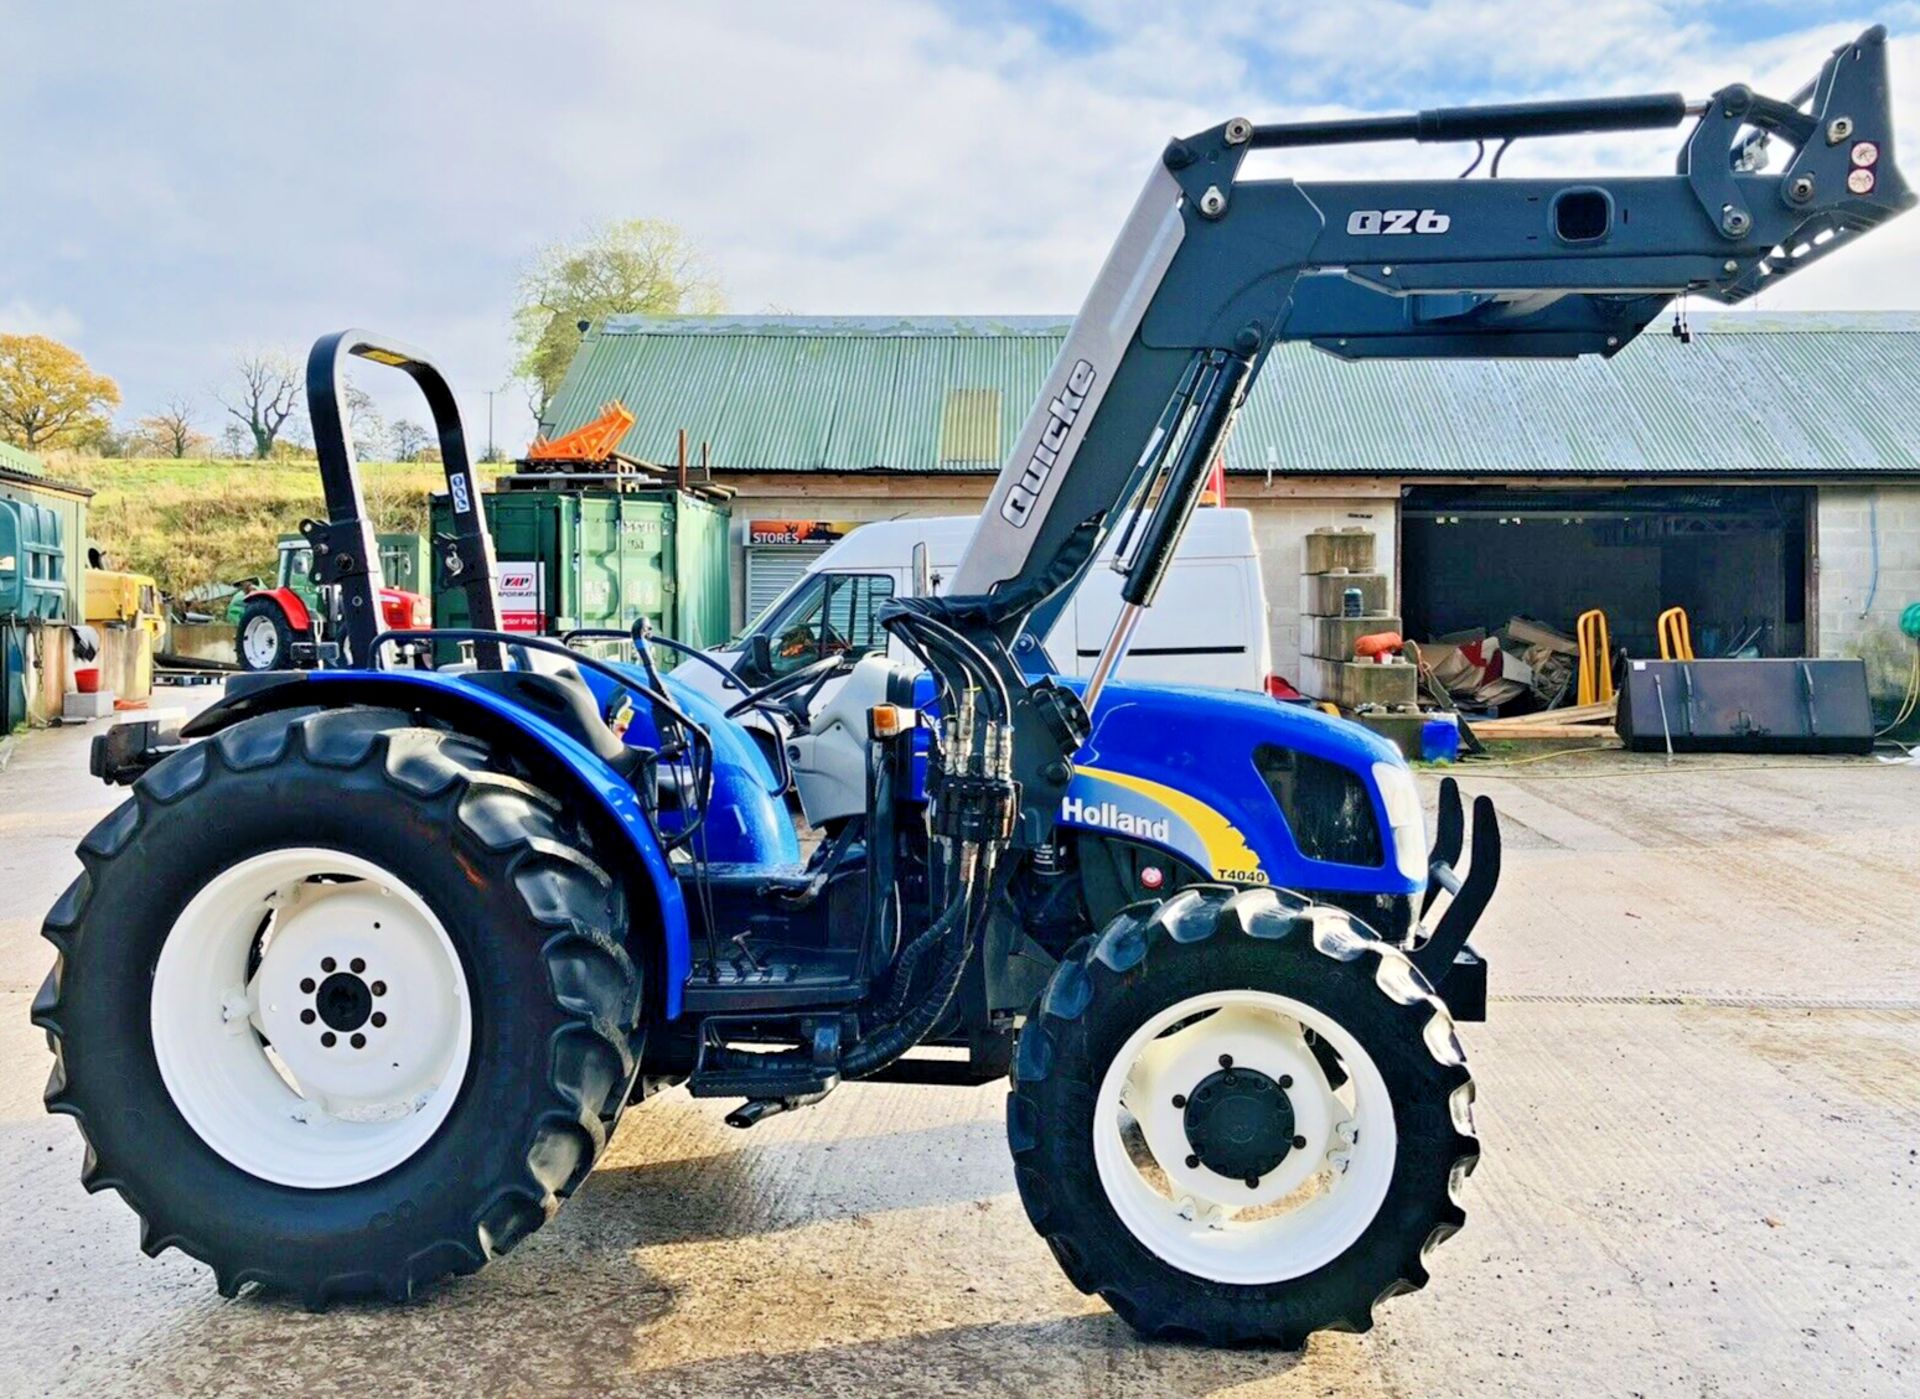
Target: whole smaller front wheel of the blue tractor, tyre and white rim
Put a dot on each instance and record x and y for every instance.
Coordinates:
(1141, 1012)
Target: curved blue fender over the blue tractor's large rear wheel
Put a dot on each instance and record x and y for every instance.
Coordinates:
(562, 765)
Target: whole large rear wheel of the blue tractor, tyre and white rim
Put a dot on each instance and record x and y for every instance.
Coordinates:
(540, 993)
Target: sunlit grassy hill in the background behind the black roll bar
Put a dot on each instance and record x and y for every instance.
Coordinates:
(191, 523)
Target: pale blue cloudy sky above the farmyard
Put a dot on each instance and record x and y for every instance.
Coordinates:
(187, 181)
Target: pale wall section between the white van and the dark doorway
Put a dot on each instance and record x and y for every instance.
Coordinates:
(1284, 517)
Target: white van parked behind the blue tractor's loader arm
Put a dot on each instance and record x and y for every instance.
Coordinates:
(1209, 627)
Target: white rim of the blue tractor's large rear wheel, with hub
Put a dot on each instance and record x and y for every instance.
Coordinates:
(352, 957)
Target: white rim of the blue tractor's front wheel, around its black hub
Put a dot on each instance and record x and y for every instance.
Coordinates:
(1310, 1208)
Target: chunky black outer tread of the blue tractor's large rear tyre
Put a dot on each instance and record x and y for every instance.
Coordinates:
(592, 978)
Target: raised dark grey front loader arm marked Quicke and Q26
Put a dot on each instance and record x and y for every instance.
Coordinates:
(1212, 272)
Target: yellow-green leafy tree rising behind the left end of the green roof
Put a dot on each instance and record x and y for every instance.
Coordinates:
(629, 268)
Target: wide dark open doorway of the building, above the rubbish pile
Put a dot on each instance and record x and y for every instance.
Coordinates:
(1733, 557)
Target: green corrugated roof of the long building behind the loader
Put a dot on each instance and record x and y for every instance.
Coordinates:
(1779, 394)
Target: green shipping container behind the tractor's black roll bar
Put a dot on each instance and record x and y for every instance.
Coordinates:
(602, 559)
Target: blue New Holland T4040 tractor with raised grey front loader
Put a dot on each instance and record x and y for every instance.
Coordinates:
(356, 985)
